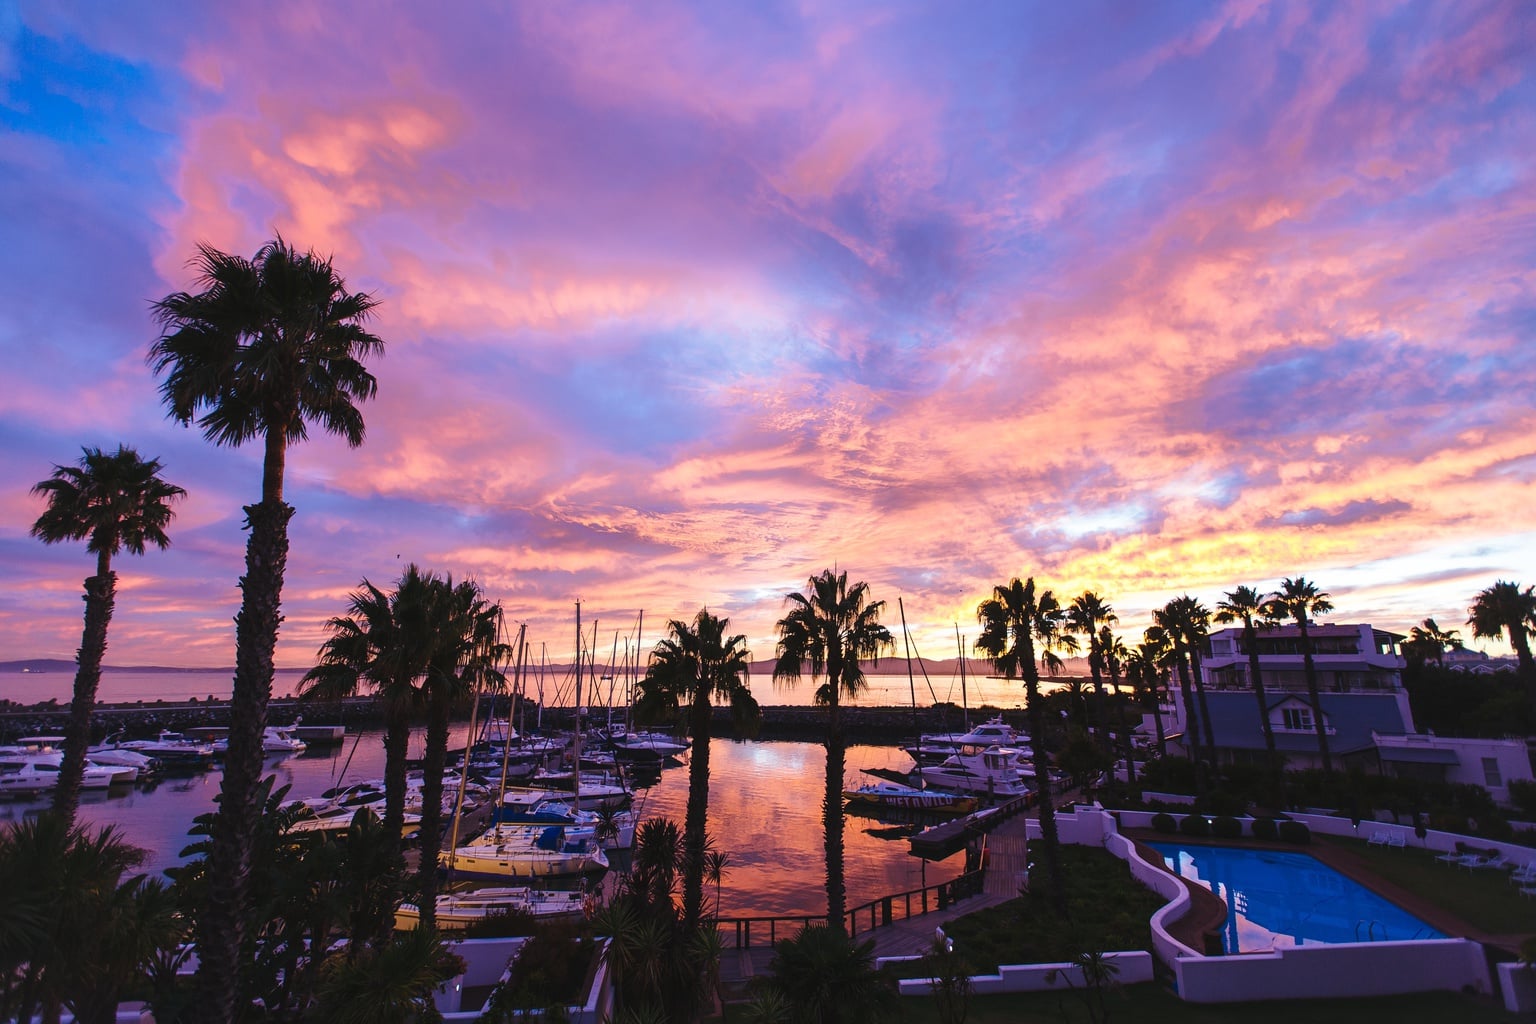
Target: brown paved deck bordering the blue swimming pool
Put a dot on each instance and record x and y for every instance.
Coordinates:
(1208, 911)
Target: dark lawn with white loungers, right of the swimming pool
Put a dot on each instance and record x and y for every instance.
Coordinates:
(1483, 899)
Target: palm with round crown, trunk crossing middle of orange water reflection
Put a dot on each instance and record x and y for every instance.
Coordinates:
(832, 627)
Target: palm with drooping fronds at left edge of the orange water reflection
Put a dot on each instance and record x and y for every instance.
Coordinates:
(700, 664)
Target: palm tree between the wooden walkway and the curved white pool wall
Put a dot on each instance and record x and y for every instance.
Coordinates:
(1016, 623)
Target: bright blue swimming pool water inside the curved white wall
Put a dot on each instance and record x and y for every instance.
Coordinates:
(1279, 900)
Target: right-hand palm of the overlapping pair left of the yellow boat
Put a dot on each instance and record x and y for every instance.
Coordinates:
(468, 655)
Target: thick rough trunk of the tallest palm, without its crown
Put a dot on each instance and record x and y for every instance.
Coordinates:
(222, 928)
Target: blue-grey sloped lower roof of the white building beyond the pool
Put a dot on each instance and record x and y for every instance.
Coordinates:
(1352, 718)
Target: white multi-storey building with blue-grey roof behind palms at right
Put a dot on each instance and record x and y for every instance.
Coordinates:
(1365, 710)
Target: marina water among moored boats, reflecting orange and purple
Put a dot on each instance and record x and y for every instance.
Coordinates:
(764, 813)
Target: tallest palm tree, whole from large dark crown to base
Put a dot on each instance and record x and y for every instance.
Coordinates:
(268, 348)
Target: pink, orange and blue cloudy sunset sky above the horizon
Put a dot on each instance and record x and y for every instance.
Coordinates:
(686, 303)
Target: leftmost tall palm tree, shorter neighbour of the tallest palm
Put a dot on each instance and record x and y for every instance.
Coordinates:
(113, 503)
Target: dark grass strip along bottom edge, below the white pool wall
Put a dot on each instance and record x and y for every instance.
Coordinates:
(1154, 1005)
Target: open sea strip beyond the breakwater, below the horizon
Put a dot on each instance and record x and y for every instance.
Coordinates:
(886, 689)
